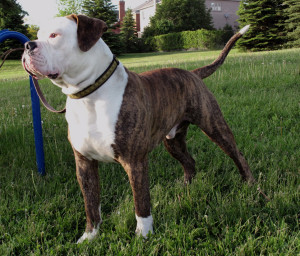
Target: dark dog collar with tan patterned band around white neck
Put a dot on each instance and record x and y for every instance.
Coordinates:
(99, 81)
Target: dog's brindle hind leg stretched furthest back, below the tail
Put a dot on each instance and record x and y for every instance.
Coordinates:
(215, 127)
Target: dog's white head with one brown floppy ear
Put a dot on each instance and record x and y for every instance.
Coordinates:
(61, 45)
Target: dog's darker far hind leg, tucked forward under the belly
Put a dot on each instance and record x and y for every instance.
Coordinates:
(177, 148)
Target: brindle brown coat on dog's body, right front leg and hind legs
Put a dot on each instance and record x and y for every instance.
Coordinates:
(153, 103)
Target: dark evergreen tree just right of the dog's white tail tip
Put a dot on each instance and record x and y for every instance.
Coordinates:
(267, 25)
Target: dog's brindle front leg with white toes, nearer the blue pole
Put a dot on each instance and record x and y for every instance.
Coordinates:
(88, 179)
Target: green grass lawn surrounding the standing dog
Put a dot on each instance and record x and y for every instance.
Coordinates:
(259, 94)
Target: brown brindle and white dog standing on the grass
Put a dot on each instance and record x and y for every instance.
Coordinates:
(115, 115)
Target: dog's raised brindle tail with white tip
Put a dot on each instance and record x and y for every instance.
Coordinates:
(211, 68)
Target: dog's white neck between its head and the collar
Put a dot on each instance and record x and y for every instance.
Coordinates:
(85, 73)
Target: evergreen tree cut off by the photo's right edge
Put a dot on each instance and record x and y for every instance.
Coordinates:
(293, 22)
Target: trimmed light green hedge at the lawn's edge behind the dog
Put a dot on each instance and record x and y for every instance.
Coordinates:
(199, 39)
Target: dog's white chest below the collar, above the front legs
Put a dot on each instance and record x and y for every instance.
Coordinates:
(92, 121)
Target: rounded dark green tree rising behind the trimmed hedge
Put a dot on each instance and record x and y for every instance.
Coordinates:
(179, 15)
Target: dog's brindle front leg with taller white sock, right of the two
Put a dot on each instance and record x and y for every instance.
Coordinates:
(139, 181)
